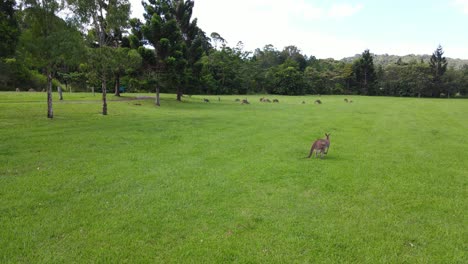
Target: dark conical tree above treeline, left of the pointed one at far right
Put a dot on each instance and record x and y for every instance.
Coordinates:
(365, 73)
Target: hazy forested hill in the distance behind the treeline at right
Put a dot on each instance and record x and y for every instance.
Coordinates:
(386, 59)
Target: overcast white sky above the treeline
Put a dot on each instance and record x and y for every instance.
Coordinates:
(337, 29)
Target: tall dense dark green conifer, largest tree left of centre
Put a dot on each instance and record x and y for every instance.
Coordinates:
(177, 40)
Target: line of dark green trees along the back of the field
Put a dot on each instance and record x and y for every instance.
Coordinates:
(100, 48)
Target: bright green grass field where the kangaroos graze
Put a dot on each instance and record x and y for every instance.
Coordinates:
(222, 182)
